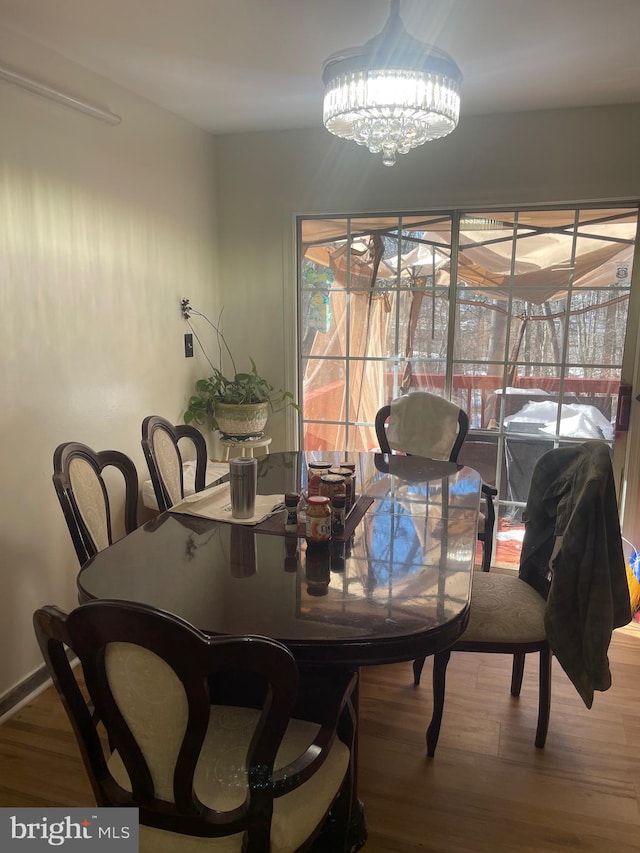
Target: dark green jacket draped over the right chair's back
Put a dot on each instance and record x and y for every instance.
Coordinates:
(573, 549)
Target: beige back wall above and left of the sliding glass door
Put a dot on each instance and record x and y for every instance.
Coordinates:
(267, 178)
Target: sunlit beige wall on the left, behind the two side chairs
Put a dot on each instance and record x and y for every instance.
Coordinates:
(103, 230)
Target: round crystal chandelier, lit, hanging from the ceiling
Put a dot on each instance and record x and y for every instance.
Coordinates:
(393, 93)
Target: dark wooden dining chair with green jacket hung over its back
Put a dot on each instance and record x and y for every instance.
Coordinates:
(571, 590)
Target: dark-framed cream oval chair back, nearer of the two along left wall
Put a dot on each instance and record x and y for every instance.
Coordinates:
(84, 497)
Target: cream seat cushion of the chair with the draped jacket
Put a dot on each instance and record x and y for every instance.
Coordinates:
(504, 609)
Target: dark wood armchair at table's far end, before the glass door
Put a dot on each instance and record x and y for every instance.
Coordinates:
(430, 410)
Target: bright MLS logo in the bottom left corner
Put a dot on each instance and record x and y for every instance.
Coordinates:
(101, 829)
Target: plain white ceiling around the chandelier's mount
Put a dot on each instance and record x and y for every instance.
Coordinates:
(246, 65)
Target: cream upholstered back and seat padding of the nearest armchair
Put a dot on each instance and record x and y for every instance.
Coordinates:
(152, 702)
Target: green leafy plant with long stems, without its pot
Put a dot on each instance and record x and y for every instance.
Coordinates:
(235, 388)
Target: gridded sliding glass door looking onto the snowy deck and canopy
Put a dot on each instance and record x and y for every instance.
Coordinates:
(517, 316)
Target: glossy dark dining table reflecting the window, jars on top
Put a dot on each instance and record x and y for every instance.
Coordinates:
(394, 587)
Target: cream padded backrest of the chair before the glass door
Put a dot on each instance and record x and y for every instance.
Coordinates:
(422, 424)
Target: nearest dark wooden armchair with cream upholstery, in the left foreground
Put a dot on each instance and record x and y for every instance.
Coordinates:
(222, 777)
